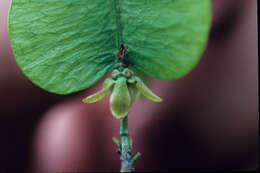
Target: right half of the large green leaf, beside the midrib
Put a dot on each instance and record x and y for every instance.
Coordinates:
(165, 38)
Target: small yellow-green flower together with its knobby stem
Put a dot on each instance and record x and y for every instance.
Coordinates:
(125, 88)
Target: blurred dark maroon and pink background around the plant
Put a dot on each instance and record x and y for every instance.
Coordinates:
(207, 122)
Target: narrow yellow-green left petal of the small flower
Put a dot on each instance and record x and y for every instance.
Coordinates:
(101, 94)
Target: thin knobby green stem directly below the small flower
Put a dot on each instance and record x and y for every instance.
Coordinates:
(125, 148)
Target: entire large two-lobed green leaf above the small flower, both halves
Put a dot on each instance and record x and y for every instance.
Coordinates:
(65, 46)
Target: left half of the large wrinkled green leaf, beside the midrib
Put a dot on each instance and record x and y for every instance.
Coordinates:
(63, 46)
